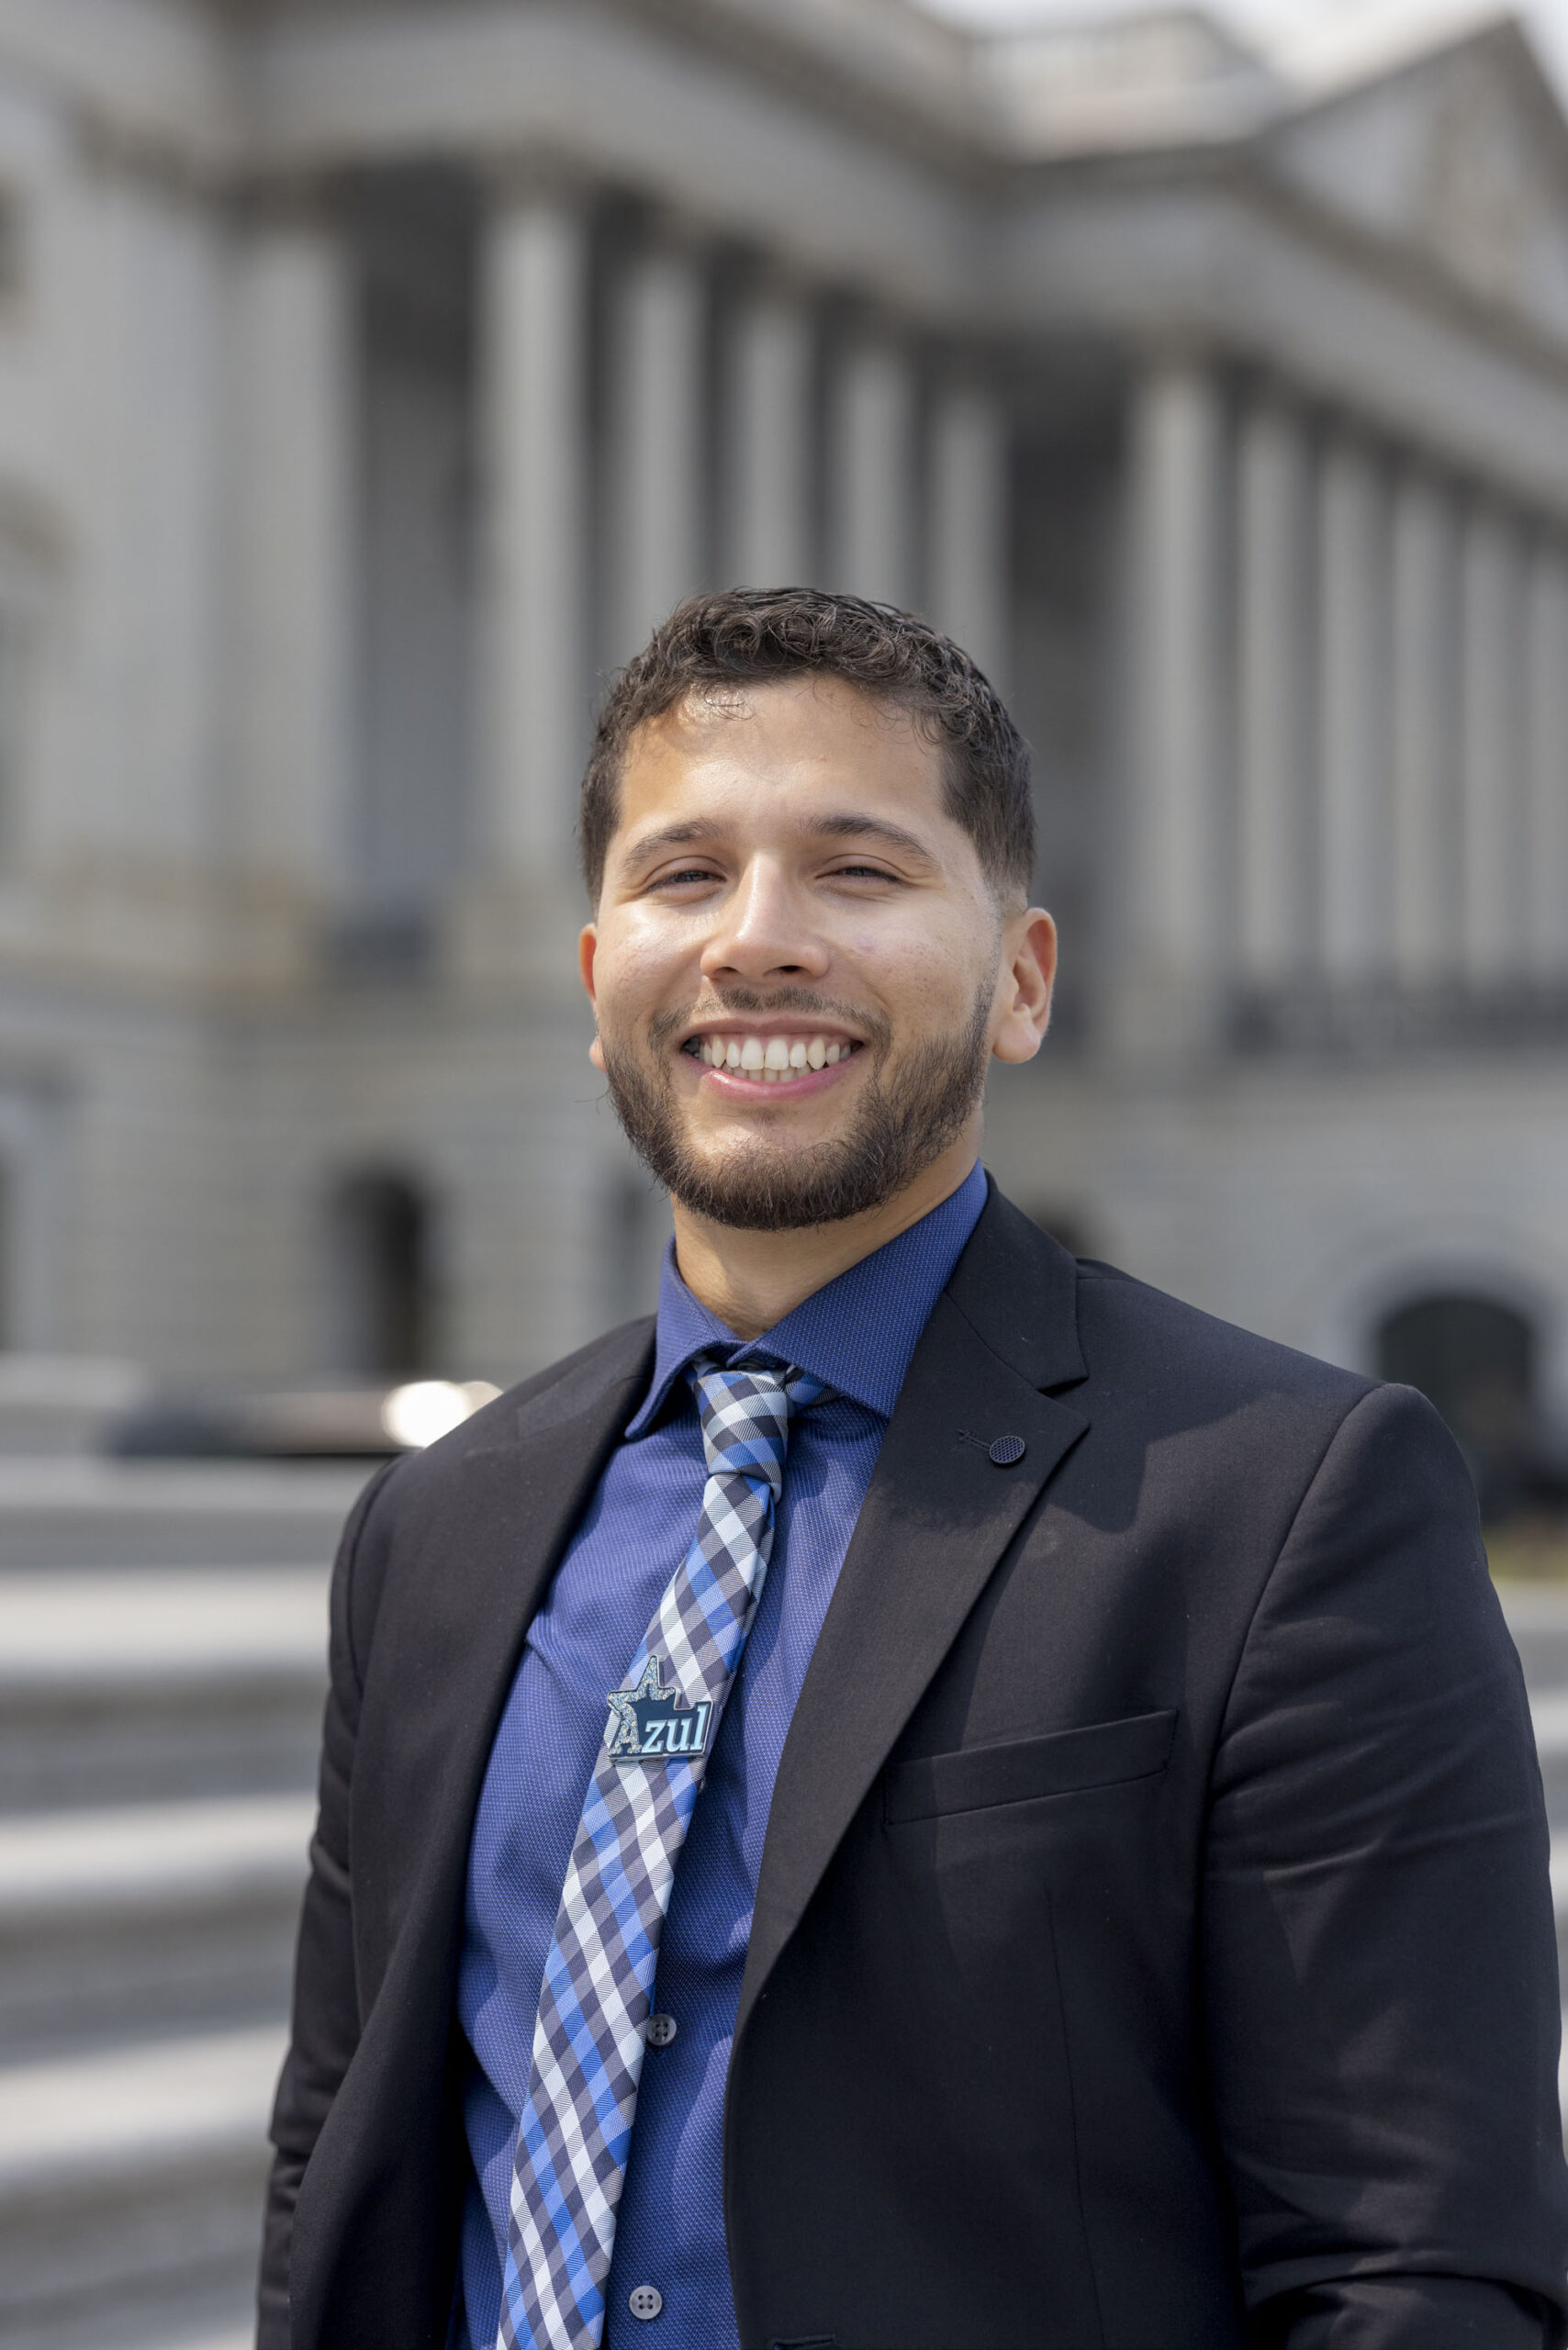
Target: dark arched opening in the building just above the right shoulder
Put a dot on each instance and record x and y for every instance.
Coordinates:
(1475, 1359)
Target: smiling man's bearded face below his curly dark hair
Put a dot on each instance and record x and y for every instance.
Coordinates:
(798, 965)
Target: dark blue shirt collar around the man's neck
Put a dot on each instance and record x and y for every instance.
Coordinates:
(857, 1334)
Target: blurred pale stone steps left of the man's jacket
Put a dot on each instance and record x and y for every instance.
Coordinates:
(161, 1686)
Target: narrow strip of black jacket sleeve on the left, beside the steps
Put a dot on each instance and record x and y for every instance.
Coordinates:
(326, 2027)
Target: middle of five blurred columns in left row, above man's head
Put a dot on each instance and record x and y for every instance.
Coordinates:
(768, 492)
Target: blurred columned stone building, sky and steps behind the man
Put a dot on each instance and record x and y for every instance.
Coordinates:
(373, 377)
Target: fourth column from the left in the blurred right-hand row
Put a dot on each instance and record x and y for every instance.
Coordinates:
(1426, 711)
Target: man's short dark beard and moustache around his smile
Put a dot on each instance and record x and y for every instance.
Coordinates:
(906, 1117)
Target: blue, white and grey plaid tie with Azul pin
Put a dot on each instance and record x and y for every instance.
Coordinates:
(577, 2119)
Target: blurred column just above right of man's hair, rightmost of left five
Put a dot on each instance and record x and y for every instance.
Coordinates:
(970, 523)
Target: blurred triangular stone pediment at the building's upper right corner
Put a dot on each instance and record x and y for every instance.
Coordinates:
(1461, 156)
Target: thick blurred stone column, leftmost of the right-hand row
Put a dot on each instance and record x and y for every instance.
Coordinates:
(1177, 732)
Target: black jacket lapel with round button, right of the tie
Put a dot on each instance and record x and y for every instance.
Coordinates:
(937, 1519)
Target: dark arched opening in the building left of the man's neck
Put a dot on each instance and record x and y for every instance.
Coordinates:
(380, 1275)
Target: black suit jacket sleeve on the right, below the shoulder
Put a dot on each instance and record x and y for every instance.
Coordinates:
(1379, 1942)
